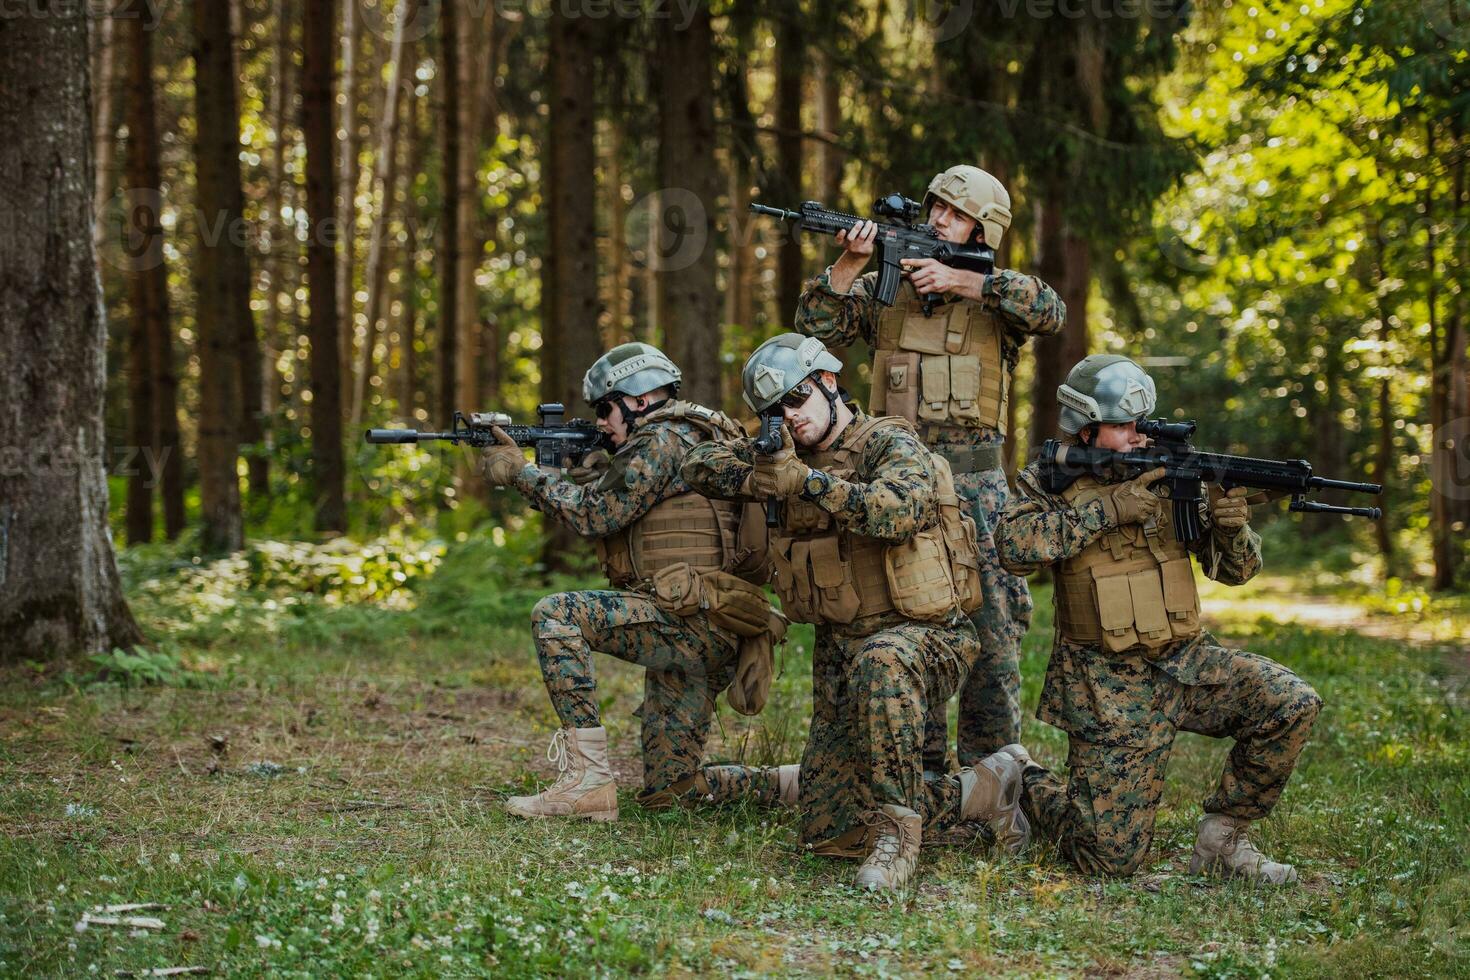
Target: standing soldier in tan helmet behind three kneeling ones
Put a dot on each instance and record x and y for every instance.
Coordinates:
(949, 372)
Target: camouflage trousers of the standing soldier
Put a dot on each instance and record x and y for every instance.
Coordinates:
(990, 702)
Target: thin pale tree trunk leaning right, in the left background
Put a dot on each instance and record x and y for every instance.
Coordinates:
(386, 183)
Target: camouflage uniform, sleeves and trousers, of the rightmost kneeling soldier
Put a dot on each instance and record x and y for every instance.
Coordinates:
(1121, 710)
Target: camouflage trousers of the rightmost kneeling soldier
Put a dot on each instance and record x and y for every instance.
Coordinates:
(1103, 816)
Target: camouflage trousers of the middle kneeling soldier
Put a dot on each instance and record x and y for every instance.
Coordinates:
(867, 744)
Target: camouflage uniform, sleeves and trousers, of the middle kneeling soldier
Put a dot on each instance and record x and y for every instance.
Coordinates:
(874, 678)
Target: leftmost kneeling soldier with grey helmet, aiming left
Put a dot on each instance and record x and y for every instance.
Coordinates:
(661, 547)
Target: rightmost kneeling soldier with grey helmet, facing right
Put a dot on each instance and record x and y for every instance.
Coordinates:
(1130, 665)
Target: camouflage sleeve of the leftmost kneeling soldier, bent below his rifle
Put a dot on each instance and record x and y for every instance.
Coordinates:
(643, 474)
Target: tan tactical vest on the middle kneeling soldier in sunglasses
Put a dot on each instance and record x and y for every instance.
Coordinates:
(825, 574)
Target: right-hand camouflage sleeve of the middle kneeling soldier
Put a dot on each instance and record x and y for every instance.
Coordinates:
(894, 496)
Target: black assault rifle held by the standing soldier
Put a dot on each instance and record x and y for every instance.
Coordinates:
(897, 240)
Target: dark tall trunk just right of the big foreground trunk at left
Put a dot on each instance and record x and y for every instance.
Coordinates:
(149, 275)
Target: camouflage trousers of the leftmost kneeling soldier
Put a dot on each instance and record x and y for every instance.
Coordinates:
(687, 665)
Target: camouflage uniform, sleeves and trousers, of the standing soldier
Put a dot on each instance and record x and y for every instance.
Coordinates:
(990, 702)
